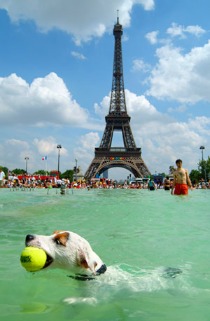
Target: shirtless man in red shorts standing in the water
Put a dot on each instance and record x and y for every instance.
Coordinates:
(181, 180)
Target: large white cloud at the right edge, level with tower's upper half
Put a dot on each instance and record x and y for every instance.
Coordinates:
(181, 77)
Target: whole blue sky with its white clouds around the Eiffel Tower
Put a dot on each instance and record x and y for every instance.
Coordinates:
(56, 63)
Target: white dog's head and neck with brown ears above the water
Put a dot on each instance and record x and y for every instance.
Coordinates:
(68, 250)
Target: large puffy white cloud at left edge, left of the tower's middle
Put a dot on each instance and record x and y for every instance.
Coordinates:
(46, 101)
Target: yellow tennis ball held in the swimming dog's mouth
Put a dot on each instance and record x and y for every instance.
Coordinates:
(33, 259)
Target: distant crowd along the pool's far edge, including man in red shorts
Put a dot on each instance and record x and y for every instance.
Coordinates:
(178, 184)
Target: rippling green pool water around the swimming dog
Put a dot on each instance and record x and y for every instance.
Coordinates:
(137, 233)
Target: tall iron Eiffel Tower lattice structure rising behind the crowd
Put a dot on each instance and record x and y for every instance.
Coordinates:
(129, 156)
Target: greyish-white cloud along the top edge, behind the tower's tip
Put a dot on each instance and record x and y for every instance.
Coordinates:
(81, 19)
